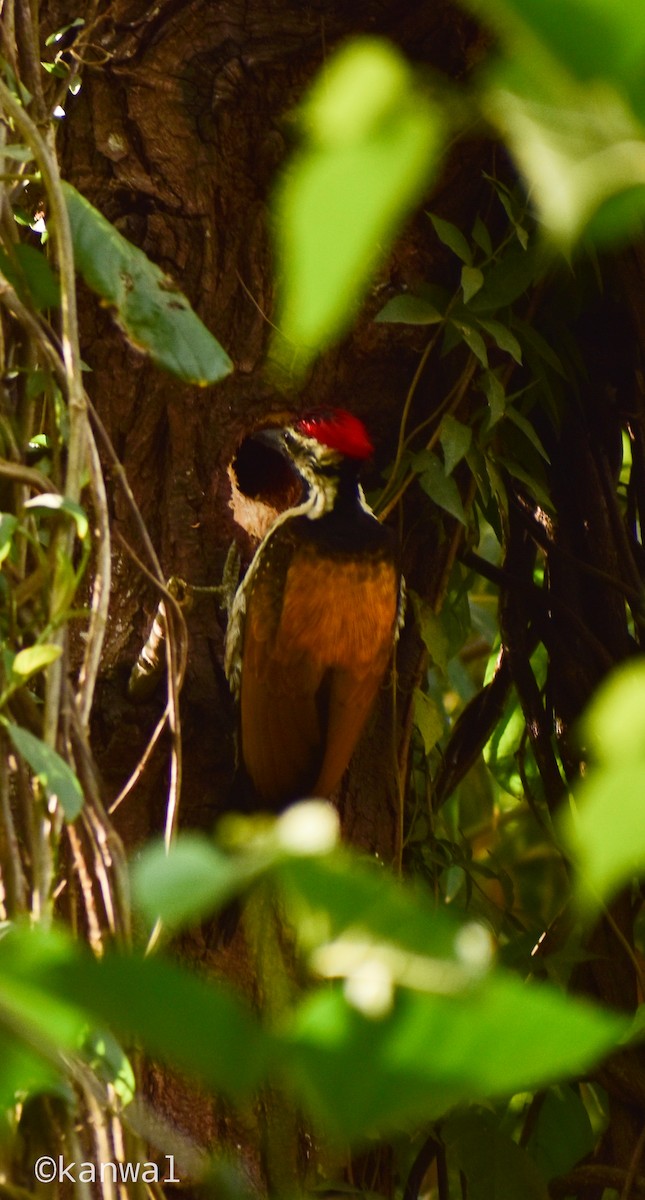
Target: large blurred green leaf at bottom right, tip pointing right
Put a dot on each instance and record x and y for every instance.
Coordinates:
(433, 1052)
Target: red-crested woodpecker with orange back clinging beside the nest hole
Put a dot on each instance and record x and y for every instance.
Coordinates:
(315, 620)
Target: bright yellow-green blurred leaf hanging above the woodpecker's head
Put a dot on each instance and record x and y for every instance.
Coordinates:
(349, 187)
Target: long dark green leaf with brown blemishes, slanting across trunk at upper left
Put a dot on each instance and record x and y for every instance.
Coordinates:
(153, 313)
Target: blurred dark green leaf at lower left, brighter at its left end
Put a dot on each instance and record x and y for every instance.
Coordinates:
(188, 1022)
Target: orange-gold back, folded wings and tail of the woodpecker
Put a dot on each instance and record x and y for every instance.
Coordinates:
(312, 669)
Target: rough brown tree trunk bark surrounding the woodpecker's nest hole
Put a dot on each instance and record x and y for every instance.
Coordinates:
(177, 136)
